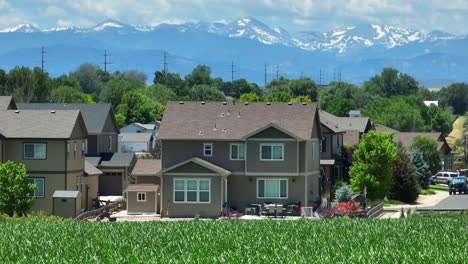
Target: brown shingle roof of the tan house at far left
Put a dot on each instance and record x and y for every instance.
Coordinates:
(38, 123)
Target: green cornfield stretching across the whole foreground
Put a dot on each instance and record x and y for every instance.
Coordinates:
(433, 239)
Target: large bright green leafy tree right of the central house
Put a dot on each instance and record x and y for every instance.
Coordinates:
(373, 163)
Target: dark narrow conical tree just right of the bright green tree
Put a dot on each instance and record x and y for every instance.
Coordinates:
(405, 186)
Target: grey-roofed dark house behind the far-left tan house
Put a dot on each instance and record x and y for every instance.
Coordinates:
(100, 122)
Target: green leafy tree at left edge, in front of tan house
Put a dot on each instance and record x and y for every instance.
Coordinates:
(15, 189)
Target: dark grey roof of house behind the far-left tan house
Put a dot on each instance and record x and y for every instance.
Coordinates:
(94, 115)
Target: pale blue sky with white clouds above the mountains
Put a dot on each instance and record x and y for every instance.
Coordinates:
(293, 15)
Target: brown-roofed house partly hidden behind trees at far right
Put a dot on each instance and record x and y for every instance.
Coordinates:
(407, 138)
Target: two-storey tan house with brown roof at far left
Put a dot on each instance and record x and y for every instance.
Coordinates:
(51, 146)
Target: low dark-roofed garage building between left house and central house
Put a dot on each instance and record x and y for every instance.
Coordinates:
(116, 169)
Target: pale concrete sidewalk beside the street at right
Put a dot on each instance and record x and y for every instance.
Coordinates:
(422, 201)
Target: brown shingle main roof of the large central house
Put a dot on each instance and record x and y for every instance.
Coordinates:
(231, 121)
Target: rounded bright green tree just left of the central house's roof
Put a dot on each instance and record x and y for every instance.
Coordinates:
(136, 107)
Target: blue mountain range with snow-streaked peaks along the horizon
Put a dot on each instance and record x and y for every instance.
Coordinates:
(244, 48)
